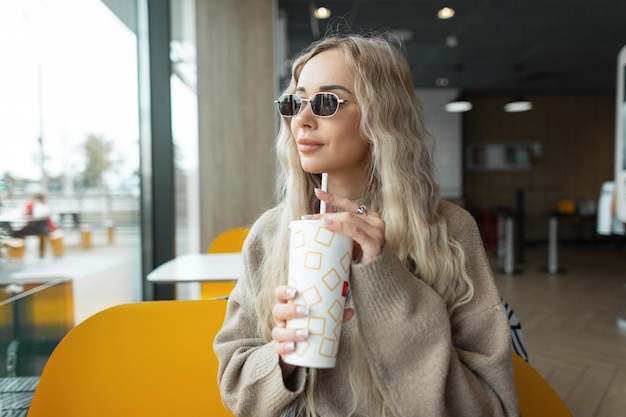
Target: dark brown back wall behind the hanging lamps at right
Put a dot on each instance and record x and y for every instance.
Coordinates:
(577, 139)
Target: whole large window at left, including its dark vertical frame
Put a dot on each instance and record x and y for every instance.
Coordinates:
(80, 107)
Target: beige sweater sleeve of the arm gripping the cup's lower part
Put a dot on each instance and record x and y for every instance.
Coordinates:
(249, 375)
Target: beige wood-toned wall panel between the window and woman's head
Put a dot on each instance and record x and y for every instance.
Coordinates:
(237, 119)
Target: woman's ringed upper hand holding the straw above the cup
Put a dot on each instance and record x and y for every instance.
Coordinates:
(366, 229)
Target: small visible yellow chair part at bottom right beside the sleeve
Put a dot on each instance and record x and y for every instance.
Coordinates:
(536, 397)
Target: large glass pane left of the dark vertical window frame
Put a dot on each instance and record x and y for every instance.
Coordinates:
(69, 129)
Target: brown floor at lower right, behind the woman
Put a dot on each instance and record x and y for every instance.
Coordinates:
(569, 322)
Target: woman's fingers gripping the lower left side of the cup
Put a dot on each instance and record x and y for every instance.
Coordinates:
(283, 311)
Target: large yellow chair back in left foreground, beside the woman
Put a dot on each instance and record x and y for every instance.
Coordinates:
(139, 359)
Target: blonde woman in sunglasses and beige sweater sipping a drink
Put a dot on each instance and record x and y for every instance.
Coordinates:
(425, 333)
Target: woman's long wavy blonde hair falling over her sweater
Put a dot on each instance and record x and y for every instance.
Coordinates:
(402, 188)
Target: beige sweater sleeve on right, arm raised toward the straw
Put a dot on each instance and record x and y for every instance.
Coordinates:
(424, 361)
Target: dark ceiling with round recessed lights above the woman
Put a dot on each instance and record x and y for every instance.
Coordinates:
(503, 46)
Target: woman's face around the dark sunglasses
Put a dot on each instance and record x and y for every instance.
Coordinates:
(330, 144)
